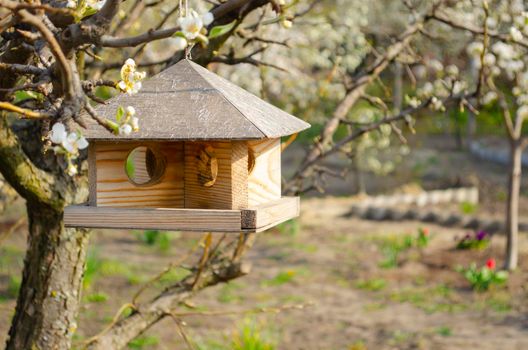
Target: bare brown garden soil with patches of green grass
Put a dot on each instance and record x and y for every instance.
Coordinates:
(360, 288)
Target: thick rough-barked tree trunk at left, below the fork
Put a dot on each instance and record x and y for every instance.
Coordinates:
(48, 302)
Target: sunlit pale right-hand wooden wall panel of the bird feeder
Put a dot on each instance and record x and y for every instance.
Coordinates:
(264, 182)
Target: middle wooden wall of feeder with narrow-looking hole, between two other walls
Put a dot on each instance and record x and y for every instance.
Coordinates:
(230, 188)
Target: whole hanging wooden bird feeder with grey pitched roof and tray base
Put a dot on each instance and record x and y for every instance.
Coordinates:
(207, 158)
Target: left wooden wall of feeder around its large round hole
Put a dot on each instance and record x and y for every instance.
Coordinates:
(110, 185)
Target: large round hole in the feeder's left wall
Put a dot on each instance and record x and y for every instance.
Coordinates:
(144, 166)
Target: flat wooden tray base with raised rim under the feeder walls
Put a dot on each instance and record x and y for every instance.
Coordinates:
(255, 219)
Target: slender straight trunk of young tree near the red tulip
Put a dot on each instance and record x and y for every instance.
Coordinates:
(512, 208)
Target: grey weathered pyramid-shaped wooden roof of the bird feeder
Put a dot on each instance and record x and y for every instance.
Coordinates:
(189, 102)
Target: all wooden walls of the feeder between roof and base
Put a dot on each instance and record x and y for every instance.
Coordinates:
(248, 174)
